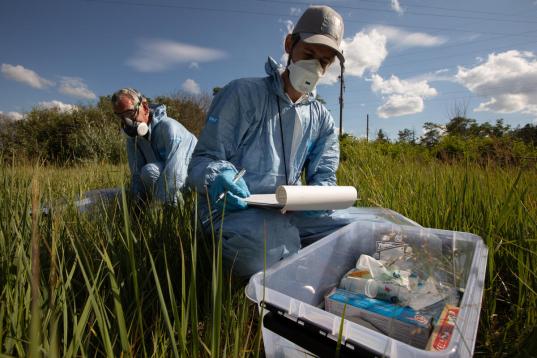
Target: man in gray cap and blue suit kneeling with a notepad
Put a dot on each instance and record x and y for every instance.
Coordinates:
(275, 129)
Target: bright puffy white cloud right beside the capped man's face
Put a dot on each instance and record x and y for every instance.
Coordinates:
(364, 52)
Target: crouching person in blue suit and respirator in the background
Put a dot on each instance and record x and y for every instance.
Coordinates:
(158, 147)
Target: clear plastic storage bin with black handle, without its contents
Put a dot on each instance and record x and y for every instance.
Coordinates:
(292, 294)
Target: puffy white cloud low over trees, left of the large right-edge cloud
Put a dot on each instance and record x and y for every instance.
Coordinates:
(401, 97)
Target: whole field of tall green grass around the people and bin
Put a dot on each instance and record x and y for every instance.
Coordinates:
(146, 282)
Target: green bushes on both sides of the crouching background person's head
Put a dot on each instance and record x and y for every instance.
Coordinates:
(88, 134)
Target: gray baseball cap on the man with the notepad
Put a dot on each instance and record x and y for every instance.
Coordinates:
(321, 25)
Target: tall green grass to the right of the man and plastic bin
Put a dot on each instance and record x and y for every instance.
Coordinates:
(497, 203)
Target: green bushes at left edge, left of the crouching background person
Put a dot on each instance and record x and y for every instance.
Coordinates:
(86, 134)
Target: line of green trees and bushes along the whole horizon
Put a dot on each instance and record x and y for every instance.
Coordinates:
(92, 134)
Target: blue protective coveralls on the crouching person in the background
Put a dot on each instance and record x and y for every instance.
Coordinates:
(159, 161)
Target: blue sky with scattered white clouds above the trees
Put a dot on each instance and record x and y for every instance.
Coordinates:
(408, 61)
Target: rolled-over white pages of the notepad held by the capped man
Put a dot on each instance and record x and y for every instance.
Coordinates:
(307, 197)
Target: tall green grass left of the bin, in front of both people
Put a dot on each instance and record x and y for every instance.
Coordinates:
(120, 282)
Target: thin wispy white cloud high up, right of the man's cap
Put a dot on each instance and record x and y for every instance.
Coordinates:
(403, 39)
